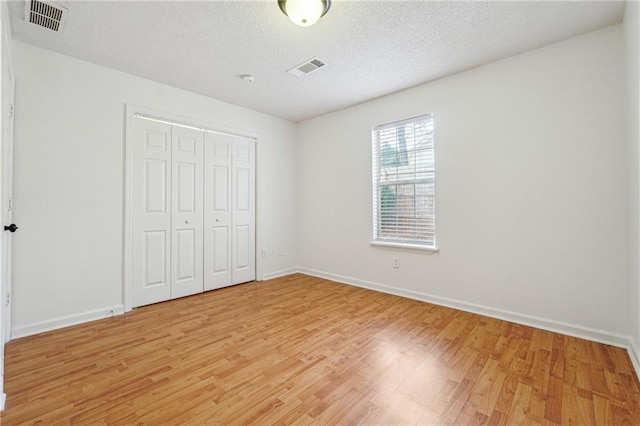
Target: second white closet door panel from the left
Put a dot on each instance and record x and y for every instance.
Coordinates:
(187, 219)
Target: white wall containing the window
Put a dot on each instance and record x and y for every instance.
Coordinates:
(531, 181)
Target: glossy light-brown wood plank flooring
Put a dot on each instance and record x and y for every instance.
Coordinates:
(304, 350)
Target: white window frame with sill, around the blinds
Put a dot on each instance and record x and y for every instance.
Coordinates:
(422, 246)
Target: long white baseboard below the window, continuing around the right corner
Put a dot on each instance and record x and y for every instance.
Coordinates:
(574, 330)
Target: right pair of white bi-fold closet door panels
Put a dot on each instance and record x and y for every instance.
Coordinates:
(229, 221)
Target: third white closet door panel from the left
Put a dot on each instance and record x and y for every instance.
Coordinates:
(217, 211)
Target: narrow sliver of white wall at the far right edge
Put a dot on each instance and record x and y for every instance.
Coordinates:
(632, 49)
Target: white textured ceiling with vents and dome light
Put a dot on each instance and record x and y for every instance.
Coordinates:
(371, 48)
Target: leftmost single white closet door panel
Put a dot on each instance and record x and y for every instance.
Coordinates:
(151, 212)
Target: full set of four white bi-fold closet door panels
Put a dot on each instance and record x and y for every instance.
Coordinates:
(193, 211)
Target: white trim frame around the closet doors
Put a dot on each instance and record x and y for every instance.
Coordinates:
(130, 115)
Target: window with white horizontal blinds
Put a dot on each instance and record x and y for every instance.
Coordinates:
(403, 184)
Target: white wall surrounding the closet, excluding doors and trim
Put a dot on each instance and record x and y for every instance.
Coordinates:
(69, 161)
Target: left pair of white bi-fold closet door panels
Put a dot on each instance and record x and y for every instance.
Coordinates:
(167, 212)
